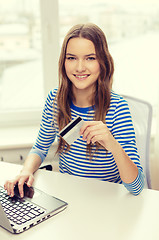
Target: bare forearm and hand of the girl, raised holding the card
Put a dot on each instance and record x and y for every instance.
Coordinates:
(97, 131)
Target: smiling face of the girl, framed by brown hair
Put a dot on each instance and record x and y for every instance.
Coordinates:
(81, 65)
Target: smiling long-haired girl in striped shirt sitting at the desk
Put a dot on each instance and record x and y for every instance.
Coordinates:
(106, 148)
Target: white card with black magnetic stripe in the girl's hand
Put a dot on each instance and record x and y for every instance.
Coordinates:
(71, 132)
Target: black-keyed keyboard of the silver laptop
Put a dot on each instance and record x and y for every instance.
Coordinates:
(18, 210)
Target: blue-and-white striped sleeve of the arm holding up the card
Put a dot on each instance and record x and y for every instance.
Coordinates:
(124, 133)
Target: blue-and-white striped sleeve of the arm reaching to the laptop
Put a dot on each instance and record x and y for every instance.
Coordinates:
(47, 132)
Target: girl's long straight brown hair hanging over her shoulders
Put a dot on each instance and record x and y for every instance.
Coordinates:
(101, 98)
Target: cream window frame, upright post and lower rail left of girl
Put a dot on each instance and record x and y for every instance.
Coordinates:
(50, 53)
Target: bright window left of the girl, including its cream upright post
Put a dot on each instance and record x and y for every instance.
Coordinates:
(26, 38)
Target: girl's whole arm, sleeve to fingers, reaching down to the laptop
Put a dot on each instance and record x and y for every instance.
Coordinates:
(39, 151)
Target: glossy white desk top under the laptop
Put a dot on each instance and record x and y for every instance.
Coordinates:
(96, 210)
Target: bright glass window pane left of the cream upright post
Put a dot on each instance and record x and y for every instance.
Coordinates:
(21, 55)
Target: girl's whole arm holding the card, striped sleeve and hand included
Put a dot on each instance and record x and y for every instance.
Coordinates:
(119, 139)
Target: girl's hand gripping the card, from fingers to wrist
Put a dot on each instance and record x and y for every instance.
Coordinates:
(97, 131)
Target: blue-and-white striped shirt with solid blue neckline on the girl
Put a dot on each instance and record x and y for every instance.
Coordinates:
(102, 164)
